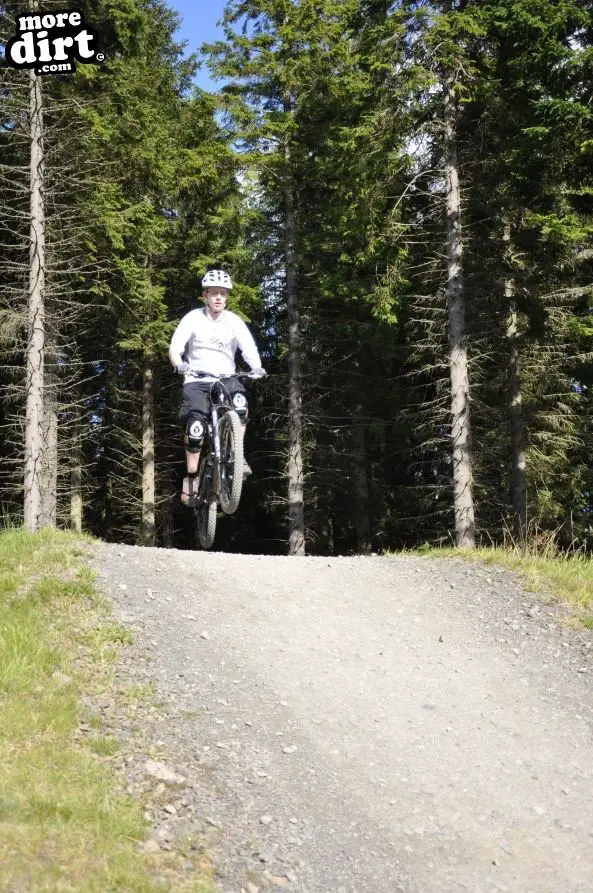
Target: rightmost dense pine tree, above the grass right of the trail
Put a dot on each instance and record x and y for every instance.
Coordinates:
(523, 107)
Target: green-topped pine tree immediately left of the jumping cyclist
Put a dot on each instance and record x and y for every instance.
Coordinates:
(150, 128)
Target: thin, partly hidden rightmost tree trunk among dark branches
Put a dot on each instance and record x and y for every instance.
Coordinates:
(517, 422)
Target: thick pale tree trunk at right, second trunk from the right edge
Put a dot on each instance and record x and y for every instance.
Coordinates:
(463, 502)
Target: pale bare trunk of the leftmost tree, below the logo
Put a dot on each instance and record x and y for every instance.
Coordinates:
(34, 427)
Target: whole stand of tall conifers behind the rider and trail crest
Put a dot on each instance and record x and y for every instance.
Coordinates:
(402, 193)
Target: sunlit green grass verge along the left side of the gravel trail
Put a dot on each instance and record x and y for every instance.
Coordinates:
(64, 824)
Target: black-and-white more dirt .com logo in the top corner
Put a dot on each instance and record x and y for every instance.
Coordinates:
(50, 42)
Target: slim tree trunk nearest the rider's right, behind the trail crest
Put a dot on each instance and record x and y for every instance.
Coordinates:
(296, 516)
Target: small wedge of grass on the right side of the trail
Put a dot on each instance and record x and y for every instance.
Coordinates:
(566, 576)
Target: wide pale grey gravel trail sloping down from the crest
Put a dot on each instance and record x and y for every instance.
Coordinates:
(359, 725)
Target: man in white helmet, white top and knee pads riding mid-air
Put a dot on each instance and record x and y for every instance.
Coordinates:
(206, 340)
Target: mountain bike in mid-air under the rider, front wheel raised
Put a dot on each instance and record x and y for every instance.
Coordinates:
(220, 469)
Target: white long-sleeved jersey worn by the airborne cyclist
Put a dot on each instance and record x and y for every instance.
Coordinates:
(209, 345)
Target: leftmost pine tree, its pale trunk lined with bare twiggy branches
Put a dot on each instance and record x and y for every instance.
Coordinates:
(48, 228)
